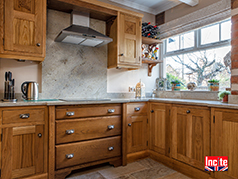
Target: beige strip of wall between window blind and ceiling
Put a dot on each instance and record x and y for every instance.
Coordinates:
(184, 9)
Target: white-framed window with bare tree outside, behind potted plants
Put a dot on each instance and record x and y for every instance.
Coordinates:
(198, 56)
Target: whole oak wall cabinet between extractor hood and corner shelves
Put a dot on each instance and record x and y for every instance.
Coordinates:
(125, 50)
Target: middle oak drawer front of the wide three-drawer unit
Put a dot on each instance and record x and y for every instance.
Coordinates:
(87, 128)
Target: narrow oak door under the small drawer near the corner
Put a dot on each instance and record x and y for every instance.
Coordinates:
(136, 133)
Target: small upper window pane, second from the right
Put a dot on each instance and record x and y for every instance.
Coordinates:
(210, 34)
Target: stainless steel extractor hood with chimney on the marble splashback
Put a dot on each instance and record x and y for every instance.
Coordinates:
(80, 33)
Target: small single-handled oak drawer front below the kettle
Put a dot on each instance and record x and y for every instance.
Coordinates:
(23, 115)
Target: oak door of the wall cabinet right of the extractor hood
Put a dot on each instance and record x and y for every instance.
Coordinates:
(129, 40)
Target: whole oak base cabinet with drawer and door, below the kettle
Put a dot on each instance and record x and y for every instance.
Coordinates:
(24, 142)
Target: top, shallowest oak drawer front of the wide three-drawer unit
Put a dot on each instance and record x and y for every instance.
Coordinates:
(87, 111)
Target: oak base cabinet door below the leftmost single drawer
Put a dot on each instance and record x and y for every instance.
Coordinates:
(22, 151)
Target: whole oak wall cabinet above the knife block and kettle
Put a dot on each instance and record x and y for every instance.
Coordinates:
(23, 29)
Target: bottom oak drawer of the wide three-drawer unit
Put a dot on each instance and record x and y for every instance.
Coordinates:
(84, 152)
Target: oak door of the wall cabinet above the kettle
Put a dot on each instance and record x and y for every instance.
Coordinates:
(24, 26)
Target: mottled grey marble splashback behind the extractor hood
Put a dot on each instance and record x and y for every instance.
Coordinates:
(72, 70)
